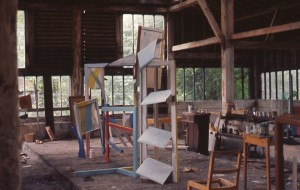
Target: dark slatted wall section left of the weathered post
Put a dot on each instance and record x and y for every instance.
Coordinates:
(52, 40)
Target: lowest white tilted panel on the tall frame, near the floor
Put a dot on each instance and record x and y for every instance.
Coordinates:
(155, 170)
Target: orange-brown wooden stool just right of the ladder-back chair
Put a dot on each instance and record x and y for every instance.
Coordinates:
(263, 141)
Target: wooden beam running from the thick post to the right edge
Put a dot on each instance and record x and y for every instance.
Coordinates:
(268, 30)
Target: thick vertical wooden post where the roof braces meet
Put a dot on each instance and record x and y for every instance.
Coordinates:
(227, 53)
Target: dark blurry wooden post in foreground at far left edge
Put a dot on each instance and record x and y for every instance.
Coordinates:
(9, 138)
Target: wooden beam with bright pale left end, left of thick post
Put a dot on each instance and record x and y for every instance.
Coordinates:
(195, 44)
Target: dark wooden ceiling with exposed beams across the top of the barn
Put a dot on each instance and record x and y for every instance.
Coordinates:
(259, 25)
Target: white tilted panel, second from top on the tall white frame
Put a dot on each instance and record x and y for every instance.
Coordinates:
(157, 97)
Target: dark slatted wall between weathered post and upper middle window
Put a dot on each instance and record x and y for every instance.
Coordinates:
(99, 37)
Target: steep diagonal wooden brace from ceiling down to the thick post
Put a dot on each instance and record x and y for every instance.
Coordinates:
(211, 20)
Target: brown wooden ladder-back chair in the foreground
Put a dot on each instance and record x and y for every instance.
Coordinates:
(220, 183)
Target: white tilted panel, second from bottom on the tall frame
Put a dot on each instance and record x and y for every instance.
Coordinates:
(155, 137)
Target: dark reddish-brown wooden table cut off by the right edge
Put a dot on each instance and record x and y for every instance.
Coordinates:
(285, 119)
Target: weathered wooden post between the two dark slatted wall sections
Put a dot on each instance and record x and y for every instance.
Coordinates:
(76, 82)
